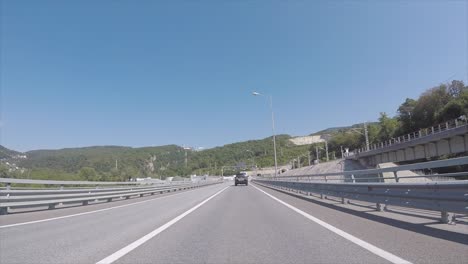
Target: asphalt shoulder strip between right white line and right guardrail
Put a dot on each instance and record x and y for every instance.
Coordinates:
(414, 239)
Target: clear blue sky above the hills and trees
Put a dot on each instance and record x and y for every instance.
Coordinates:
(148, 73)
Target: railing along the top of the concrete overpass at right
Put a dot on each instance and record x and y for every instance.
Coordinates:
(425, 132)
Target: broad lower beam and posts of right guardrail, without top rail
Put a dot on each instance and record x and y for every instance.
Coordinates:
(444, 197)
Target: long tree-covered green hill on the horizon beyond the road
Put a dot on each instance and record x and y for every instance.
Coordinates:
(121, 163)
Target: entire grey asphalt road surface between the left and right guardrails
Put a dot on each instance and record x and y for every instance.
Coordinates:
(220, 224)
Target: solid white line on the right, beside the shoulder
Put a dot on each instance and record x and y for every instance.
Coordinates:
(377, 251)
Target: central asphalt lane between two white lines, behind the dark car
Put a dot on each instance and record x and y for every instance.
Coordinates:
(243, 225)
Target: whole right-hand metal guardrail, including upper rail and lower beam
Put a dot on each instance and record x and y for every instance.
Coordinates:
(448, 197)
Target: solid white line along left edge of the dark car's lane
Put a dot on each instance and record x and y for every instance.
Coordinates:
(122, 252)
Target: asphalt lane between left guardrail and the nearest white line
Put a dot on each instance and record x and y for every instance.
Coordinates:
(88, 238)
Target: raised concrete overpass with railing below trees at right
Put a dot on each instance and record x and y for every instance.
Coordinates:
(444, 139)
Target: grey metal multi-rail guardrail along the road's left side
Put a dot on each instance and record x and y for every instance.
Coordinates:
(52, 197)
